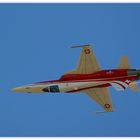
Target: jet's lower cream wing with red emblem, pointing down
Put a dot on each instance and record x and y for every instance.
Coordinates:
(101, 97)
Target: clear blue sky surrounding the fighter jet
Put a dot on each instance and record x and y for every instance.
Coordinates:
(35, 42)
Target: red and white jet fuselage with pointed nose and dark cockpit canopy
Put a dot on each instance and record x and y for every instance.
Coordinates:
(78, 82)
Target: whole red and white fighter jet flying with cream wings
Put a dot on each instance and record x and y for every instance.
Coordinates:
(89, 79)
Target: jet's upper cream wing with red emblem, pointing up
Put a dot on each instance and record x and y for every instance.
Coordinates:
(87, 62)
